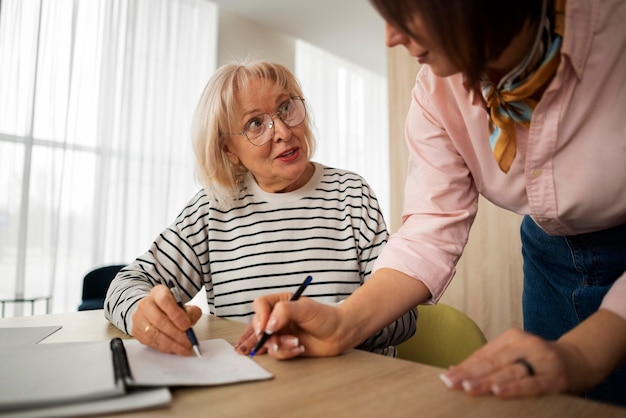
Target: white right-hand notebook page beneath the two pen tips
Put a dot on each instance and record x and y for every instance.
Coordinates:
(220, 364)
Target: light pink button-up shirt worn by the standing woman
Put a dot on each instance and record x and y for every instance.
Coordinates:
(569, 173)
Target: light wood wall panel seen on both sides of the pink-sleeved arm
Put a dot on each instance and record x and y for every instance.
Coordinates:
(489, 281)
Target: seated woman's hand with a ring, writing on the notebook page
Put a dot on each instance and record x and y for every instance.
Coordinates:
(161, 324)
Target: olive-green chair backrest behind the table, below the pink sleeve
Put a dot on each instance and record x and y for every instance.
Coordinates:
(444, 337)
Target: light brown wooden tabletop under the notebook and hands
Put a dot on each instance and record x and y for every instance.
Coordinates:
(355, 384)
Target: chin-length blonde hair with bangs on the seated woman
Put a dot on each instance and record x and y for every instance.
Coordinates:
(214, 120)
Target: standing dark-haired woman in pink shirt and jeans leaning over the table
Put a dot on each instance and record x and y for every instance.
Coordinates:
(521, 102)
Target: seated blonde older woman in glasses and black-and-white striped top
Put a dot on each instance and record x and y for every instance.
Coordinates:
(266, 217)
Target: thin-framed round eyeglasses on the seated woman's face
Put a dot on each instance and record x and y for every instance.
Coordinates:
(260, 129)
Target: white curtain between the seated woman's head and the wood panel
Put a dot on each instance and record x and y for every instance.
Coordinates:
(349, 106)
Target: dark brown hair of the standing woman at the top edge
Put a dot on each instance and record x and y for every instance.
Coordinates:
(471, 32)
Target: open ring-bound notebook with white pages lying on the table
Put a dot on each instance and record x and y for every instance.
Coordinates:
(36, 376)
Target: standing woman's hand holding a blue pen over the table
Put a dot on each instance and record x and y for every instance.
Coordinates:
(299, 328)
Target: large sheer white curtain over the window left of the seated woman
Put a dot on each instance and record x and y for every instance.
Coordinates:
(96, 101)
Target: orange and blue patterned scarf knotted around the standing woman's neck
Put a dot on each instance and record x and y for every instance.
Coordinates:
(510, 101)
